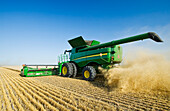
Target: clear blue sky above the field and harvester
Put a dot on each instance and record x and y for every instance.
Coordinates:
(36, 31)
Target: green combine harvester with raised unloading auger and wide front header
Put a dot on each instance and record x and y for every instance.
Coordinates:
(85, 57)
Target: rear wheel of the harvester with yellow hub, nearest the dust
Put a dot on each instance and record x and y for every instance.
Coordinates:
(89, 73)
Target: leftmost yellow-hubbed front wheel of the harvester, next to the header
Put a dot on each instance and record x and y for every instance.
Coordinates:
(67, 70)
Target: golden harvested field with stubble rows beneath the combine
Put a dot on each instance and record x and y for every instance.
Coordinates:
(55, 93)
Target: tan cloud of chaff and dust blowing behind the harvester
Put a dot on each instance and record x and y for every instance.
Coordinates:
(141, 71)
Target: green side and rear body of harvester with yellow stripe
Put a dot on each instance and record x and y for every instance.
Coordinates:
(100, 56)
